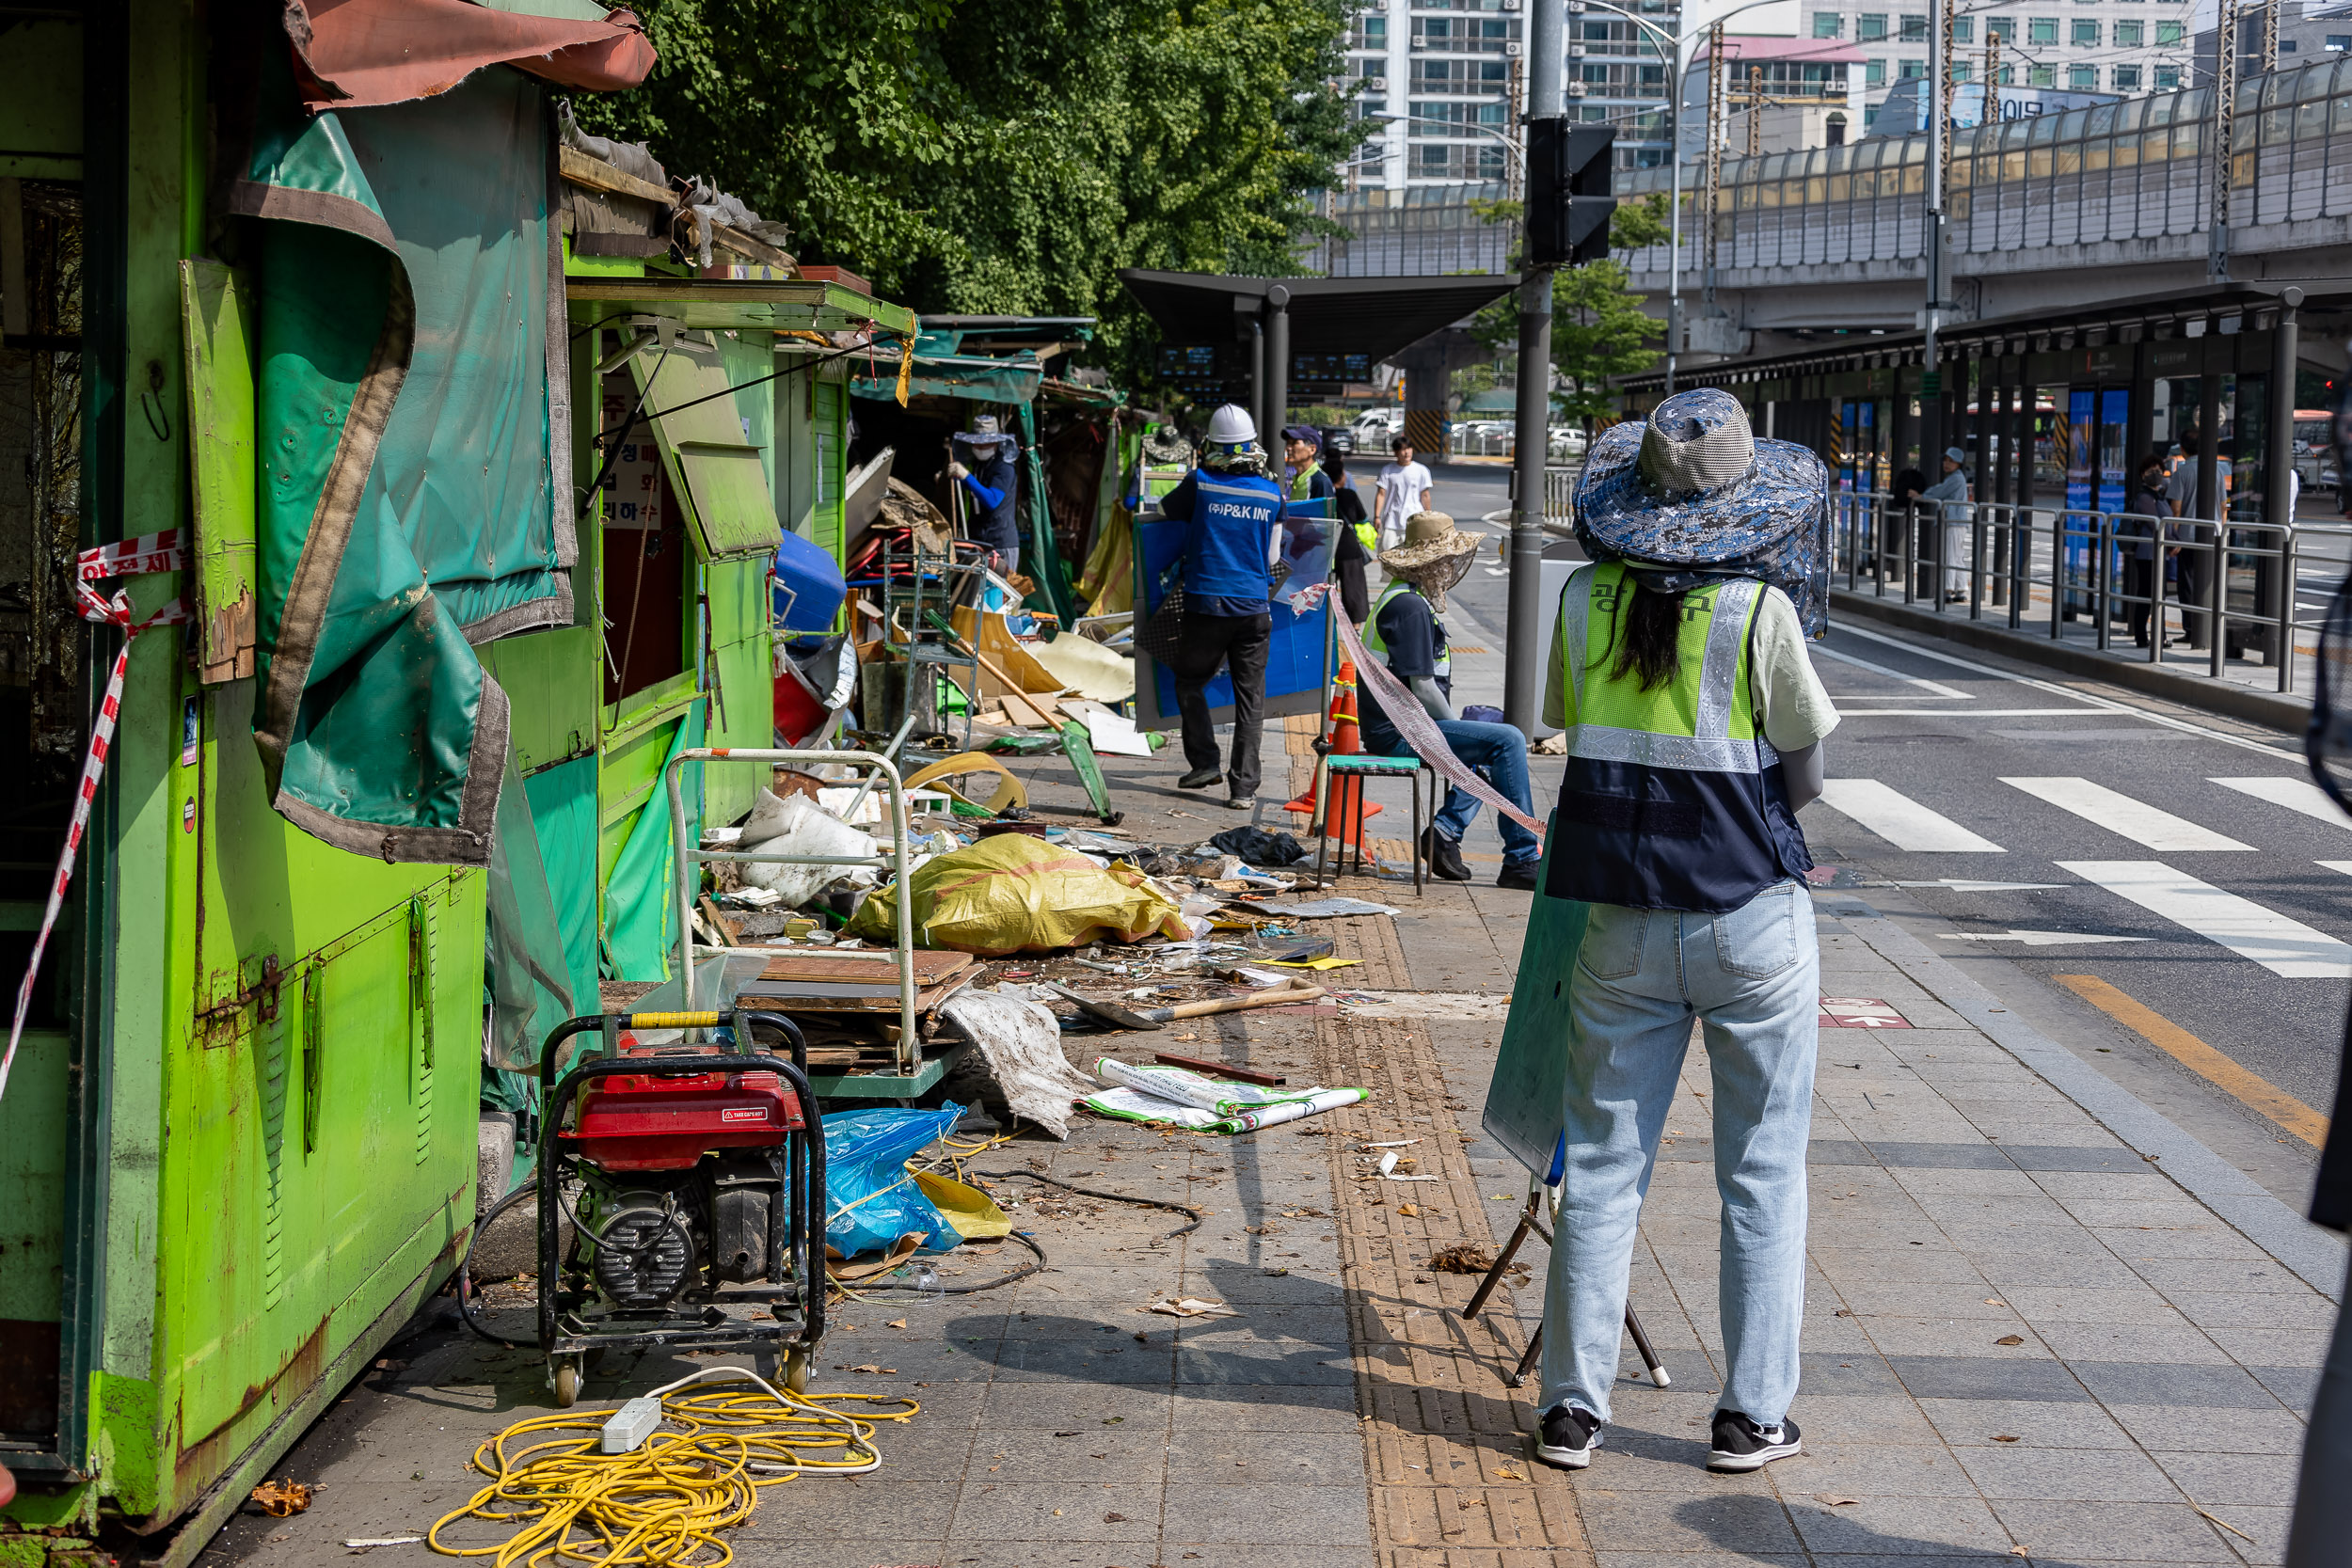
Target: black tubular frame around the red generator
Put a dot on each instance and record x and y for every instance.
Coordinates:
(808, 1186)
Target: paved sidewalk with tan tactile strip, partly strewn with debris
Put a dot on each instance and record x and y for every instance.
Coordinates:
(2024, 1336)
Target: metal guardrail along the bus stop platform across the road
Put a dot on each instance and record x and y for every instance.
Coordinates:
(1975, 558)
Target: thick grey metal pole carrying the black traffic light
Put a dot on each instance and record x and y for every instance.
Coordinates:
(1523, 657)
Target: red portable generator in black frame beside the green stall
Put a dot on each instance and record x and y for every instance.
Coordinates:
(695, 1181)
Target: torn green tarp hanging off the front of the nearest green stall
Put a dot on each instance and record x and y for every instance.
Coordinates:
(410, 394)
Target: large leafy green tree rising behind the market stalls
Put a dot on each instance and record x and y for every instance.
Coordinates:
(1005, 159)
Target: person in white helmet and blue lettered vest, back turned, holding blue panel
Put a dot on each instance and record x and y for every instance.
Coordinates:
(1231, 551)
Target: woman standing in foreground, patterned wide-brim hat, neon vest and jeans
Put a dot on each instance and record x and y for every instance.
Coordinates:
(1695, 730)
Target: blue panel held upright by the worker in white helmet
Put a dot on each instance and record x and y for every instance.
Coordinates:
(1297, 671)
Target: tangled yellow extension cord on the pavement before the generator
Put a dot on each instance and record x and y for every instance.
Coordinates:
(667, 1503)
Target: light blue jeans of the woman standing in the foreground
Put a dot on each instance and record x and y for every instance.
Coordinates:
(1753, 981)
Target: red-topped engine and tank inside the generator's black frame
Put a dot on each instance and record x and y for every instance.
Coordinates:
(683, 1181)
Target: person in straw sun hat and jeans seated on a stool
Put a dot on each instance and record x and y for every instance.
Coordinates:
(1405, 629)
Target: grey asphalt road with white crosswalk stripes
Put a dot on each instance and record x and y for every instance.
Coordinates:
(2071, 831)
